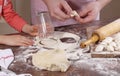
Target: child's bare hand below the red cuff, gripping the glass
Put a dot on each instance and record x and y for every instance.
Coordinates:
(31, 30)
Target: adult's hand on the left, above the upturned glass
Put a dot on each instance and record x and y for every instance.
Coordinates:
(59, 9)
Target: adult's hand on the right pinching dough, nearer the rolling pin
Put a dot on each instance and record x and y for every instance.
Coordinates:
(89, 12)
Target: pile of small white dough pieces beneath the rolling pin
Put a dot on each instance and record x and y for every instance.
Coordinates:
(110, 44)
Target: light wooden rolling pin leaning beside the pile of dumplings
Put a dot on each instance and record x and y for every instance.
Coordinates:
(102, 33)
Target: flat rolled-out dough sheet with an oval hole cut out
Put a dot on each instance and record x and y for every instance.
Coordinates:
(55, 42)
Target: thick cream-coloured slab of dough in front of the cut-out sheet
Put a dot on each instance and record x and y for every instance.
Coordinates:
(52, 60)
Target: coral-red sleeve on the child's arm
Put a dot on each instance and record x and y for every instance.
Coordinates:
(12, 17)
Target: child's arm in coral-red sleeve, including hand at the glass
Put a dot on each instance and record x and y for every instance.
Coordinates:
(16, 21)
